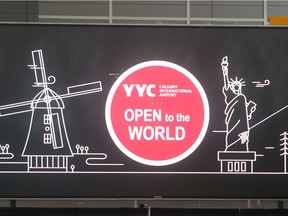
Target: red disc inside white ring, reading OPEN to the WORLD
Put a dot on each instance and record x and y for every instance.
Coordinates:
(157, 113)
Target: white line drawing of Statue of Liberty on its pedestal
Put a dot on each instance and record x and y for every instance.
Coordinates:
(236, 157)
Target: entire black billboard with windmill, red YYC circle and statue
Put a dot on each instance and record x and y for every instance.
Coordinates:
(91, 111)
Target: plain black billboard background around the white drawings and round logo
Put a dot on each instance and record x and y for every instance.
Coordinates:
(77, 54)
